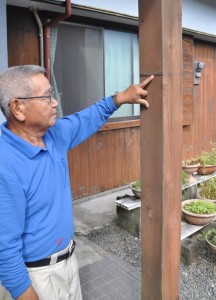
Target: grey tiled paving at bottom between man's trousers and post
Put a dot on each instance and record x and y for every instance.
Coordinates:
(110, 278)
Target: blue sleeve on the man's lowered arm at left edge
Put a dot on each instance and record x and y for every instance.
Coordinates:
(13, 273)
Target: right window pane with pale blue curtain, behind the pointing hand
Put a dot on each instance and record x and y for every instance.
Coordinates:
(121, 66)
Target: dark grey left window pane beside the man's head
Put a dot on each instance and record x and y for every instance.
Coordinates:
(78, 66)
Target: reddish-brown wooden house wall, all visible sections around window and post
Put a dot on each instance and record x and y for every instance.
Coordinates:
(111, 158)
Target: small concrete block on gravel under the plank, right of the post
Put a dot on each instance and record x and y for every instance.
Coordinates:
(189, 251)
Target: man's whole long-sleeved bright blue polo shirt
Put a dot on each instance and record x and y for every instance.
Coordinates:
(35, 196)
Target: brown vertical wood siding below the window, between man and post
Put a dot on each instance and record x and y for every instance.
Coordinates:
(107, 160)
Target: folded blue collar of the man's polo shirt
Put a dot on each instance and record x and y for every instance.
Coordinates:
(21, 145)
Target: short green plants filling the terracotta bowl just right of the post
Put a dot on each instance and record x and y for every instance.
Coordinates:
(201, 207)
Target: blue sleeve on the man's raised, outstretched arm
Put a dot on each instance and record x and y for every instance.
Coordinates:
(78, 127)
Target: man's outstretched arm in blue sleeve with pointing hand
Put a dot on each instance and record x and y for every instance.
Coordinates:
(79, 126)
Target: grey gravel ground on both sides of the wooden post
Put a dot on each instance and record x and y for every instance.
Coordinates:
(197, 281)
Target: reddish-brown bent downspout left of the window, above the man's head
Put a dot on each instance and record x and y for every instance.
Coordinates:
(46, 30)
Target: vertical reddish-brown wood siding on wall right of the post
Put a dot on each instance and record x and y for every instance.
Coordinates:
(202, 131)
